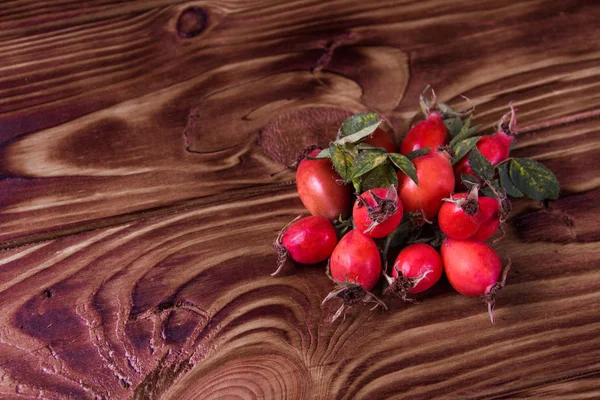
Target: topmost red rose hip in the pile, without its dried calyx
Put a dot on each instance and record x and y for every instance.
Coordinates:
(430, 133)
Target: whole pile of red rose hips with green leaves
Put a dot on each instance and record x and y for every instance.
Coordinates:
(446, 192)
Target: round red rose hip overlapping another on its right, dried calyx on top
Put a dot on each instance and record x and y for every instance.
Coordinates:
(460, 217)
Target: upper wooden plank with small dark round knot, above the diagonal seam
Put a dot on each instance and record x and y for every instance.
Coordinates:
(94, 115)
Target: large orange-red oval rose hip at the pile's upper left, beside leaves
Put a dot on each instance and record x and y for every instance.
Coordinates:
(321, 189)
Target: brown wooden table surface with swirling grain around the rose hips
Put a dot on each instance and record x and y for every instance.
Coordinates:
(143, 153)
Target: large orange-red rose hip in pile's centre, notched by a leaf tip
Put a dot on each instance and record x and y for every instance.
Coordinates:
(436, 181)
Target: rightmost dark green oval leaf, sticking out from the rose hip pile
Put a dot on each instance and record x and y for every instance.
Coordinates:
(533, 179)
